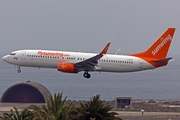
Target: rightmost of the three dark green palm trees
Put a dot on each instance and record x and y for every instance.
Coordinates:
(93, 110)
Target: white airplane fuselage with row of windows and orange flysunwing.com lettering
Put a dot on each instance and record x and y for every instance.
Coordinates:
(50, 59)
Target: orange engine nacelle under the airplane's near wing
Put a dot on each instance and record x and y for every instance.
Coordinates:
(66, 67)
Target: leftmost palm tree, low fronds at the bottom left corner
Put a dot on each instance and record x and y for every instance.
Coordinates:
(17, 115)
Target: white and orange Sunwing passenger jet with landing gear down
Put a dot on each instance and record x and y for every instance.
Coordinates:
(75, 62)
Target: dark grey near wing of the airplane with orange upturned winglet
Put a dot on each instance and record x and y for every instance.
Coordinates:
(91, 63)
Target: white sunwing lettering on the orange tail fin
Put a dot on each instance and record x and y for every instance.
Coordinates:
(164, 41)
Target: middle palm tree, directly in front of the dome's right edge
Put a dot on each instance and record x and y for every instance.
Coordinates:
(54, 110)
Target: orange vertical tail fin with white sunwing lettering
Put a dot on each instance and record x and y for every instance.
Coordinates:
(160, 48)
